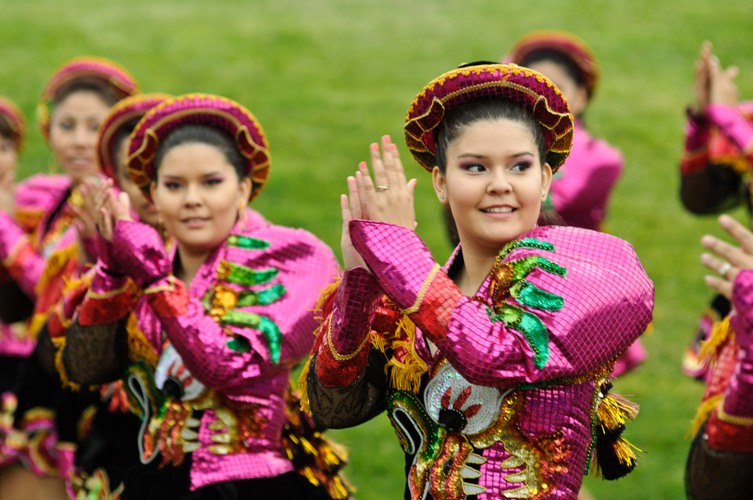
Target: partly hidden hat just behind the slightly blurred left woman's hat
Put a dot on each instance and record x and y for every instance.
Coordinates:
(128, 111)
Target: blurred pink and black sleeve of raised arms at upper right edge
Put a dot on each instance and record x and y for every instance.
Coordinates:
(717, 159)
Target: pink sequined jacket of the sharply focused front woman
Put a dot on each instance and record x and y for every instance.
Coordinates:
(506, 405)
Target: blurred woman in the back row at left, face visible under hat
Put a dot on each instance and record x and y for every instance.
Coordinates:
(44, 218)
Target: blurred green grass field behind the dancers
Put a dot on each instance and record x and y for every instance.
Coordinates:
(327, 77)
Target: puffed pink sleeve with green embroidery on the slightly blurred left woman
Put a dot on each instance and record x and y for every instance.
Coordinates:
(257, 317)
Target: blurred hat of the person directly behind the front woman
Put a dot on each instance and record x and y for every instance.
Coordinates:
(567, 45)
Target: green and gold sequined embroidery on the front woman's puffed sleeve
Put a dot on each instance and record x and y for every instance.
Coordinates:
(508, 281)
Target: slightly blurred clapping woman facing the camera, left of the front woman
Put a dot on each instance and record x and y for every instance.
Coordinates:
(207, 329)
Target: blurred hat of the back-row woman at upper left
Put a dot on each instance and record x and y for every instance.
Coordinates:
(118, 79)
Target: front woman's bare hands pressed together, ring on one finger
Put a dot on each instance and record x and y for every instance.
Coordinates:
(387, 197)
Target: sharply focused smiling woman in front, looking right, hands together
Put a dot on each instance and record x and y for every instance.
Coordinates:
(494, 368)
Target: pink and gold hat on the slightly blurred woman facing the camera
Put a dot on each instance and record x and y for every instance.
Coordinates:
(199, 109)
